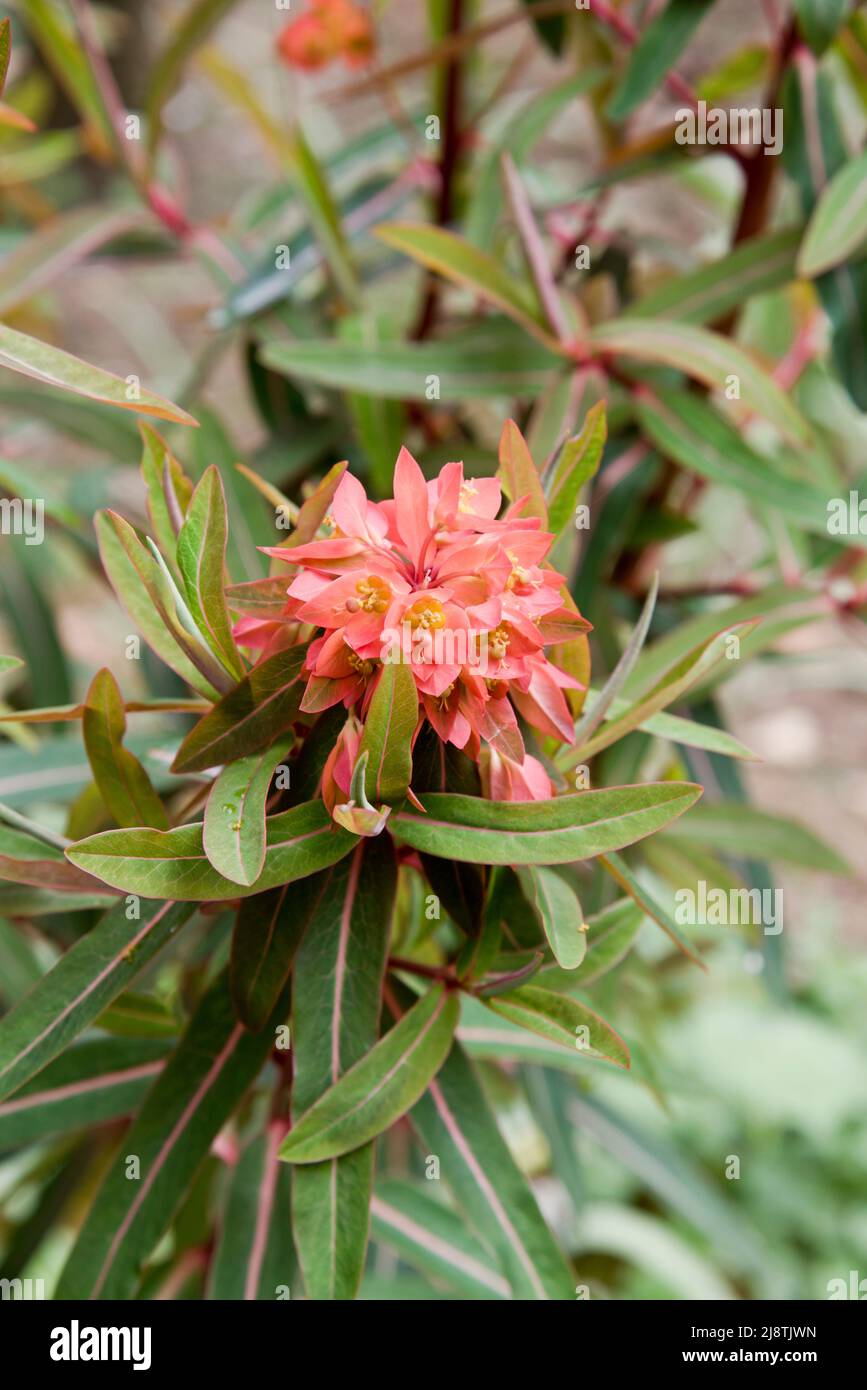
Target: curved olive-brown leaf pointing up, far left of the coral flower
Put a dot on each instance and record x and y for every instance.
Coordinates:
(123, 783)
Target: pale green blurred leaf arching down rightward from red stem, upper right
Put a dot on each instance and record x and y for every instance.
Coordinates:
(711, 359)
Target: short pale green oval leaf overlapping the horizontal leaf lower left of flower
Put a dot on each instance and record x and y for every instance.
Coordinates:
(234, 831)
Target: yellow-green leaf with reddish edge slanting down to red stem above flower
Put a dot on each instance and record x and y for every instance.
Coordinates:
(465, 265)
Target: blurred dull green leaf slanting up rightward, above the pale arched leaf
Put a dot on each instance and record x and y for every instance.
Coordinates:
(702, 297)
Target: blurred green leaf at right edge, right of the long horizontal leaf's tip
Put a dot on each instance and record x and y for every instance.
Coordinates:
(758, 835)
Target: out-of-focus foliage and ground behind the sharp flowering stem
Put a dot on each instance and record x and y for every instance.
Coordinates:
(233, 258)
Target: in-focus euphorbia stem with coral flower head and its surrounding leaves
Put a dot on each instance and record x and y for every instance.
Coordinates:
(359, 789)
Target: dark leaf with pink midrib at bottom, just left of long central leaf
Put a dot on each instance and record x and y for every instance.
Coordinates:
(255, 1257)
